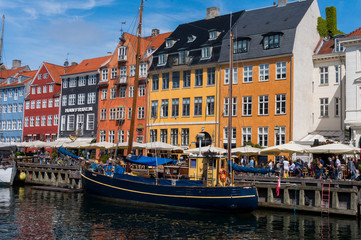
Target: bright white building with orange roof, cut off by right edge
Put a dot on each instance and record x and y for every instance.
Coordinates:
(352, 43)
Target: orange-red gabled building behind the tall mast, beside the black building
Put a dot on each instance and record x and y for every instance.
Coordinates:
(116, 88)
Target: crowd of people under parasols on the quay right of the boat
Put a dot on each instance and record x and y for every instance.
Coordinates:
(331, 168)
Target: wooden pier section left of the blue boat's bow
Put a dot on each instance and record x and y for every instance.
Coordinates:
(51, 175)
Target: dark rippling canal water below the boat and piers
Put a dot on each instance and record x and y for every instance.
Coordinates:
(26, 213)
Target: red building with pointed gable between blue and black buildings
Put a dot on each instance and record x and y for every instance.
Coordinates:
(41, 114)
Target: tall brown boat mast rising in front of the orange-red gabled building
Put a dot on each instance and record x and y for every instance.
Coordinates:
(135, 91)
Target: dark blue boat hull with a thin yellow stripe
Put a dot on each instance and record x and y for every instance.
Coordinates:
(212, 198)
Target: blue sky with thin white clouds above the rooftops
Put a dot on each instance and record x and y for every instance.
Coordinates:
(55, 30)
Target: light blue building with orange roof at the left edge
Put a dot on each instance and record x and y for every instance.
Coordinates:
(13, 91)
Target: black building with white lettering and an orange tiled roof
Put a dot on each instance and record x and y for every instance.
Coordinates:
(79, 95)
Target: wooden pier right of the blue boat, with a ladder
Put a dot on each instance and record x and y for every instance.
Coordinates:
(308, 195)
